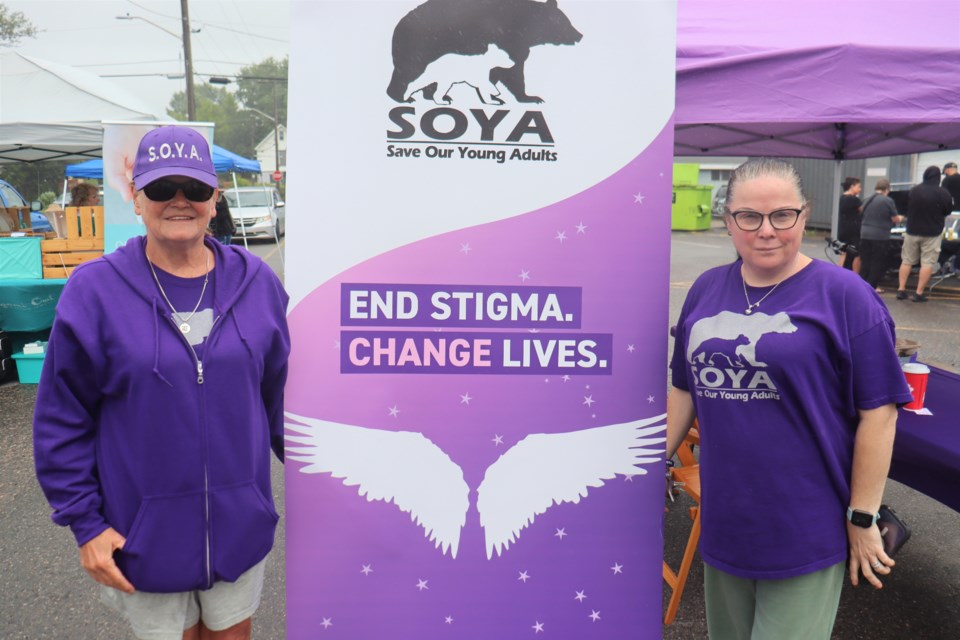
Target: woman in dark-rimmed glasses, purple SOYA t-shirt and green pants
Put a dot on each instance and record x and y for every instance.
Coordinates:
(789, 365)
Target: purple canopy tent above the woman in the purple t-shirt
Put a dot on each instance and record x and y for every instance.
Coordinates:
(817, 78)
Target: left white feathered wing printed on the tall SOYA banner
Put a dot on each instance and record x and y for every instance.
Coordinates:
(402, 467)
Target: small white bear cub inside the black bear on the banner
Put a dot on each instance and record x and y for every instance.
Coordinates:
(452, 69)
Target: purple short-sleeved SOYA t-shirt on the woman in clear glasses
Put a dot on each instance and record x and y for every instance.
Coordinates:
(777, 393)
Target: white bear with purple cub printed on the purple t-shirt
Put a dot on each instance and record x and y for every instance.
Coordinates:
(742, 330)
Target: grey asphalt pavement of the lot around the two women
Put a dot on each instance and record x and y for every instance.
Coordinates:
(45, 594)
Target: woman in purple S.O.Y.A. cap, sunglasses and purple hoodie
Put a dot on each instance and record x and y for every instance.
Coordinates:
(160, 399)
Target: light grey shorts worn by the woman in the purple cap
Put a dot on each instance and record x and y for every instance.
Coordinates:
(165, 616)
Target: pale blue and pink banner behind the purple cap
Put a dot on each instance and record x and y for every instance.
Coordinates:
(120, 142)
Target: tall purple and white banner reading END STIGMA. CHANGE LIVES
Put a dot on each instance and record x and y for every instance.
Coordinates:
(478, 264)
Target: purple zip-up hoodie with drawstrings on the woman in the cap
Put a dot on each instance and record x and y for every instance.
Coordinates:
(127, 436)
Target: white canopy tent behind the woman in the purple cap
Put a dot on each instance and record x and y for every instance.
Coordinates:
(50, 111)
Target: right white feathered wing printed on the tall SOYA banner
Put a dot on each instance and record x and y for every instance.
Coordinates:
(546, 469)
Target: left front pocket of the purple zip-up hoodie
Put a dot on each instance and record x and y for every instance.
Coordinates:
(164, 549)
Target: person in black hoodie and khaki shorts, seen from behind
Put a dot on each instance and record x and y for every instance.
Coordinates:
(927, 208)
